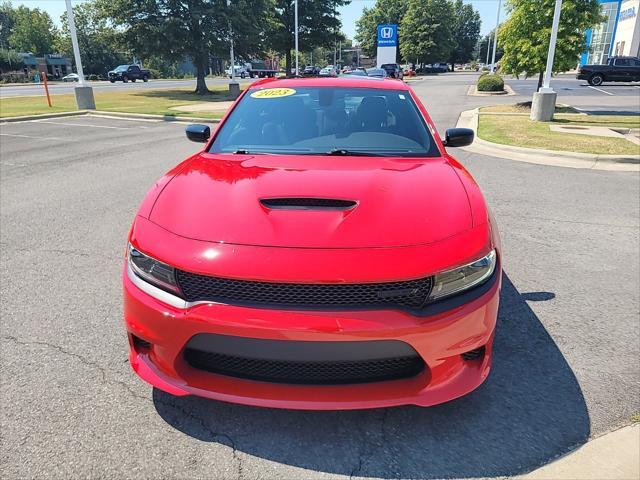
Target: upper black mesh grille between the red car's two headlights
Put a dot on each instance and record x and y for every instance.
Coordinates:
(407, 294)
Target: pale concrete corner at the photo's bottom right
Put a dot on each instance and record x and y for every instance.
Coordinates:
(615, 455)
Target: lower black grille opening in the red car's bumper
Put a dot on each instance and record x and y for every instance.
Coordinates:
(306, 372)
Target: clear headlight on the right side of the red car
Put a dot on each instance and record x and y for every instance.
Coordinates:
(462, 278)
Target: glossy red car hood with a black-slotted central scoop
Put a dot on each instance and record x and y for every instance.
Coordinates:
(396, 202)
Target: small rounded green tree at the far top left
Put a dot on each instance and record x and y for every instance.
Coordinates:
(32, 31)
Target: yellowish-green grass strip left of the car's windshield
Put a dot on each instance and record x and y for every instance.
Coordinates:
(157, 102)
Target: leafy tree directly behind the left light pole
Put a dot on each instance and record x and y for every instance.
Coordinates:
(99, 43)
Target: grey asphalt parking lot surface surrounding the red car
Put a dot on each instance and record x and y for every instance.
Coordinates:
(566, 353)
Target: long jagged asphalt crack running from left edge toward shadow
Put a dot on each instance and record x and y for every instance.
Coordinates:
(103, 373)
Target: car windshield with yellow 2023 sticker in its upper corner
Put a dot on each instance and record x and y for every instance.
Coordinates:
(326, 120)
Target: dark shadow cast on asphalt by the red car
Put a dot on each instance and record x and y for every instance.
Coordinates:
(529, 411)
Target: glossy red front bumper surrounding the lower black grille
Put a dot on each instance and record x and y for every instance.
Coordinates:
(440, 339)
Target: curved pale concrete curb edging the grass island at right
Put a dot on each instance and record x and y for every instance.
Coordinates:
(469, 119)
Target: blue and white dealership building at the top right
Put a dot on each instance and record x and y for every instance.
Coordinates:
(619, 34)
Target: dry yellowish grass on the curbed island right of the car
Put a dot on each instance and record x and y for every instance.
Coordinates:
(519, 131)
